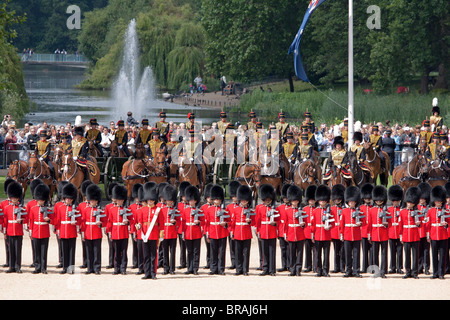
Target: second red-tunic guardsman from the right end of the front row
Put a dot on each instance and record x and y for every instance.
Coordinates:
(409, 232)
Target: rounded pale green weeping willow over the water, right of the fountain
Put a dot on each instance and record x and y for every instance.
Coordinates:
(185, 61)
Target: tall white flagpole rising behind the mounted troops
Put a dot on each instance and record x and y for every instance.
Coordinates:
(350, 75)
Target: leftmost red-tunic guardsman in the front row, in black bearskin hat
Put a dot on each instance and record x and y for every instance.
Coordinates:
(14, 219)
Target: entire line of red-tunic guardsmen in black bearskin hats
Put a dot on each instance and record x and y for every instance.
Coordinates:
(353, 220)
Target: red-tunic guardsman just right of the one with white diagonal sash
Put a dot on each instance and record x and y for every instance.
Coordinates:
(172, 218)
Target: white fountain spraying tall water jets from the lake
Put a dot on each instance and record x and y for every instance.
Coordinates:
(130, 91)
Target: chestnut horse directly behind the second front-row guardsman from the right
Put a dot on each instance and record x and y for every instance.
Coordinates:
(410, 174)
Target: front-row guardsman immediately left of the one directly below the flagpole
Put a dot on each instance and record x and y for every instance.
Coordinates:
(322, 222)
